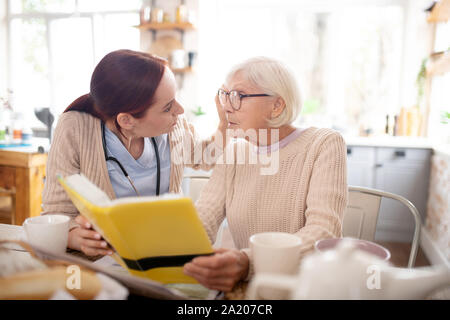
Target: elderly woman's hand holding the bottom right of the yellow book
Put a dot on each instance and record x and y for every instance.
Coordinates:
(220, 271)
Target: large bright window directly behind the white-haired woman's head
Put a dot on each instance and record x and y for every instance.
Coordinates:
(346, 57)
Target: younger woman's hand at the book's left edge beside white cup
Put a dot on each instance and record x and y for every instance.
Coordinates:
(88, 241)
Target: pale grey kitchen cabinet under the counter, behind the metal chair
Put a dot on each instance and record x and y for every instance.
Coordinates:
(403, 171)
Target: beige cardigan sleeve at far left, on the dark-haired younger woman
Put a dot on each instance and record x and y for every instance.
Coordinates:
(63, 159)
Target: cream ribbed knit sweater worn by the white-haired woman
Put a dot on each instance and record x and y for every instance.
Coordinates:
(306, 197)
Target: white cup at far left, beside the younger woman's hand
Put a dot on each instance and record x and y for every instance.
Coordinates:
(49, 232)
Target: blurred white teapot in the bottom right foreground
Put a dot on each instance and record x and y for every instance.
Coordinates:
(350, 273)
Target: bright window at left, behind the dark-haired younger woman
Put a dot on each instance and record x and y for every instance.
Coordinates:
(55, 44)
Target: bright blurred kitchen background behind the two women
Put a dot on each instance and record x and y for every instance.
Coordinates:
(378, 71)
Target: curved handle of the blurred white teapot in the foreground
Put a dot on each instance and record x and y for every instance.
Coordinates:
(272, 281)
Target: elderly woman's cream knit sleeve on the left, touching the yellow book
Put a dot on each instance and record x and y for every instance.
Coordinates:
(211, 203)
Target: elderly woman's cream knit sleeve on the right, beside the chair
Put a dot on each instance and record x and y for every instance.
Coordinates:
(327, 196)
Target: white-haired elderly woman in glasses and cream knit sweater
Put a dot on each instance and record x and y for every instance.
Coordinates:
(305, 196)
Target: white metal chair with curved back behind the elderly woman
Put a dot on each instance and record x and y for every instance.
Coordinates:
(361, 214)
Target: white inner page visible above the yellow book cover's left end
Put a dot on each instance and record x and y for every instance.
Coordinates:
(88, 190)
